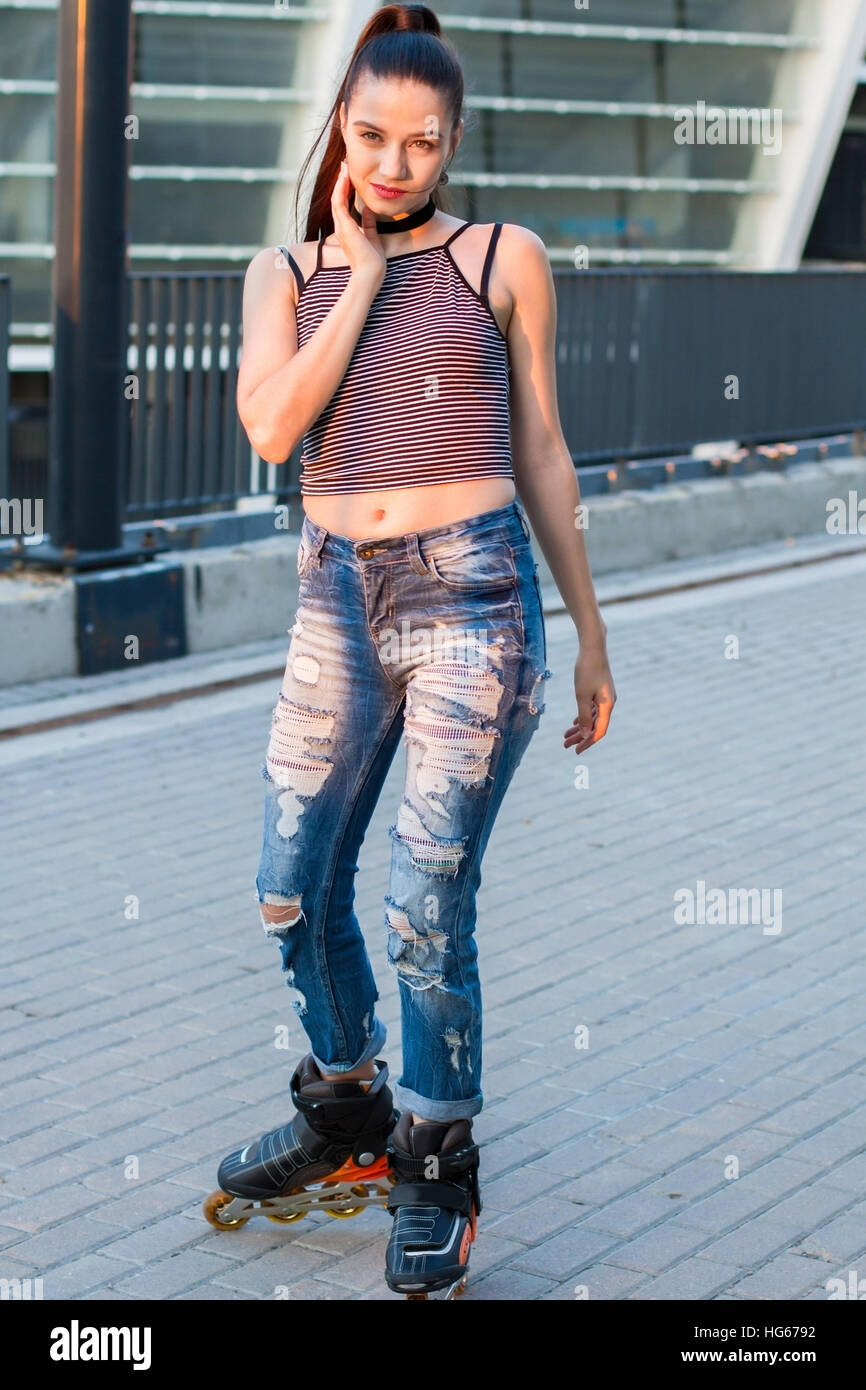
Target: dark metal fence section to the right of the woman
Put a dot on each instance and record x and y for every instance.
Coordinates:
(653, 362)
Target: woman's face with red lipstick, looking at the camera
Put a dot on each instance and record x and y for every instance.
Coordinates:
(398, 141)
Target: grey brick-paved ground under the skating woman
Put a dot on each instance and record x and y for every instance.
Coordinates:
(710, 1143)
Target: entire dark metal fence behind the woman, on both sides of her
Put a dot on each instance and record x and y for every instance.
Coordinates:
(650, 363)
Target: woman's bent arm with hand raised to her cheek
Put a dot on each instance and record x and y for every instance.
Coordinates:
(283, 391)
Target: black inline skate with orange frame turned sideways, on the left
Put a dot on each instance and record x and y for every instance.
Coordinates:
(337, 1142)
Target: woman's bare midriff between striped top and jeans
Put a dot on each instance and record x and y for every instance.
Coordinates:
(362, 516)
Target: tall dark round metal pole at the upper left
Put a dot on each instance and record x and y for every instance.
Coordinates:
(90, 276)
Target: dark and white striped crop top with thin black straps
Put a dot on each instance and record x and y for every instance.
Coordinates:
(426, 395)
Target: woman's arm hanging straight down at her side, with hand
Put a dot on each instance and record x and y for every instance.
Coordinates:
(544, 473)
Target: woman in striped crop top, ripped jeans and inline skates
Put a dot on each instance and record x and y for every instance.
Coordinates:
(411, 351)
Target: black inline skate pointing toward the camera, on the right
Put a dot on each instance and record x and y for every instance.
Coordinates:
(436, 1207)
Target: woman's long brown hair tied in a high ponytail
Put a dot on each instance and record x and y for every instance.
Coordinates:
(400, 41)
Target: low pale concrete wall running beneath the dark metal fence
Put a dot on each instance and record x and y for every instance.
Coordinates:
(248, 593)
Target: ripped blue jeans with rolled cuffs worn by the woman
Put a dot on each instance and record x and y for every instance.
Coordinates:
(436, 640)
